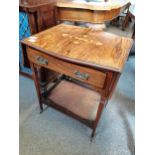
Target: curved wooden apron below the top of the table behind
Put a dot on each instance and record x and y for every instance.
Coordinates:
(86, 15)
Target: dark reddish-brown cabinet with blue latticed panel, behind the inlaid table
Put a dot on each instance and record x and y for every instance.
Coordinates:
(34, 16)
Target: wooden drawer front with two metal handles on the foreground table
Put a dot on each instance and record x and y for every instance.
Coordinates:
(84, 74)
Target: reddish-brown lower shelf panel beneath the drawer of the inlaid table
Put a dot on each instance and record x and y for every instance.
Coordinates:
(77, 99)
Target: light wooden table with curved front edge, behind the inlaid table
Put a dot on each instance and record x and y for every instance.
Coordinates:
(92, 12)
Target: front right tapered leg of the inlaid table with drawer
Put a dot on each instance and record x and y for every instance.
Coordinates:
(99, 112)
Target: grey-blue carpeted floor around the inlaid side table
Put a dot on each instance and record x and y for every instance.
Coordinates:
(53, 133)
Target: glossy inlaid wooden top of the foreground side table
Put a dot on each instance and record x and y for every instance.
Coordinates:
(83, 46)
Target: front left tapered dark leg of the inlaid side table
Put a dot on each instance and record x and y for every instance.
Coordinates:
(34, 75)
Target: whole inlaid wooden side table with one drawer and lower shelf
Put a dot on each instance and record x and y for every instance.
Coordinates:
(90, 64)
